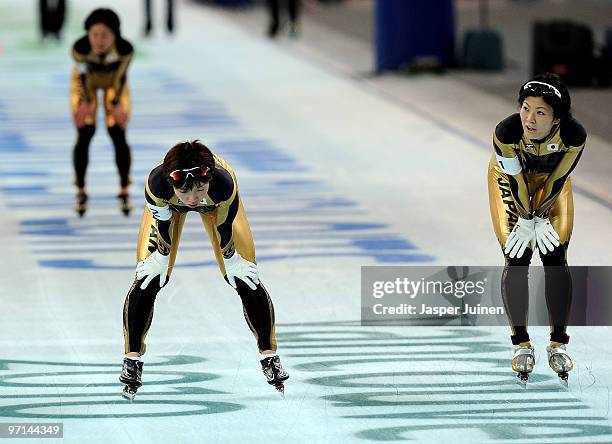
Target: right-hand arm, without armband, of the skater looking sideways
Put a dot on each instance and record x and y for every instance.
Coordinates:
(573, 137)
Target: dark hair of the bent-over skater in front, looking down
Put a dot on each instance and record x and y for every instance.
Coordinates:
(185, 155)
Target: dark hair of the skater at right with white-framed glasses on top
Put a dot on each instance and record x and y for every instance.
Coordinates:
(547, 86)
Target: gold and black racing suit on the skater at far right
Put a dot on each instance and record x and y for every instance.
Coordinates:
(530, 178)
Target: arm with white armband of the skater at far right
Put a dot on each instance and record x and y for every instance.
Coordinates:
(505, 139)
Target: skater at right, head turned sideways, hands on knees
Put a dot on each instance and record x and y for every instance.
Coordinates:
(530, 196)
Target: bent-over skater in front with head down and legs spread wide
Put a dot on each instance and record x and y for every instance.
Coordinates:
(192, 178)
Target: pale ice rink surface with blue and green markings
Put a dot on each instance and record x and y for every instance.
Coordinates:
(336, 173)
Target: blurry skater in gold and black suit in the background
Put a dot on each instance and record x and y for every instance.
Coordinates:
(102, 57)
